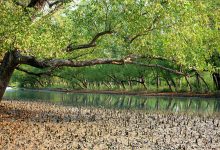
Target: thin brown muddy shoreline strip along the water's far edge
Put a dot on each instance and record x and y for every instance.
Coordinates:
(136, 93)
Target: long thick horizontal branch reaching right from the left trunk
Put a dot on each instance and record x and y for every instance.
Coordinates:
(70, 63)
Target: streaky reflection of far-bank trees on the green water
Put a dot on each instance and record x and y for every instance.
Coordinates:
(146, 103)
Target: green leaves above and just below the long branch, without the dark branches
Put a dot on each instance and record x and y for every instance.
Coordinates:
(184, 32)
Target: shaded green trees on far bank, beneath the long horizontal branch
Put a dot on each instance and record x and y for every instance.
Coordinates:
(127, 77)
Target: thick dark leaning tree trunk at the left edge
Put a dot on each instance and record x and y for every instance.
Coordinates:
(7, 68)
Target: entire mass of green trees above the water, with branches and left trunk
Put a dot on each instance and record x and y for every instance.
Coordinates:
(162, 43)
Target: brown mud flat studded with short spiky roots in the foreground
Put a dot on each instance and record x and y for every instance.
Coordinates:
(34, 125)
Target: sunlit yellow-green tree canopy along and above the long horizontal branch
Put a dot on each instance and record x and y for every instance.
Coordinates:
(56, 33)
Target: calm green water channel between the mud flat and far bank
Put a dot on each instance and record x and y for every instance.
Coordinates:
(175, 104)
